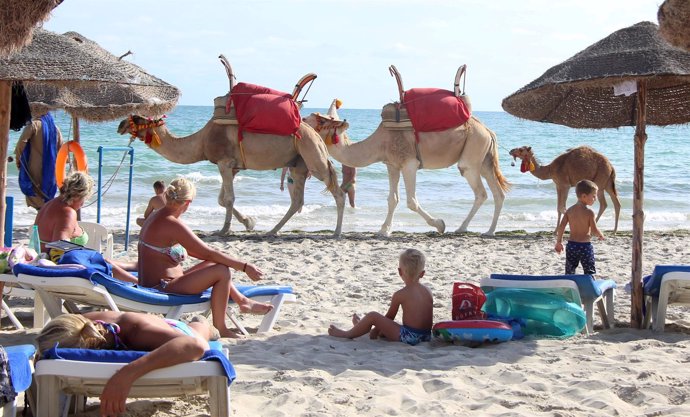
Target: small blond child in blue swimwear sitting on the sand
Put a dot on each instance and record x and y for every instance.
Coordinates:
(416, 302)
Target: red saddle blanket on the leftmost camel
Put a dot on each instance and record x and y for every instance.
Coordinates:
(263, 110)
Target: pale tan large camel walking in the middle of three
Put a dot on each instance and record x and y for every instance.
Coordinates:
(472, 147)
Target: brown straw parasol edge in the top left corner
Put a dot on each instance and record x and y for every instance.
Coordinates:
(18, 19)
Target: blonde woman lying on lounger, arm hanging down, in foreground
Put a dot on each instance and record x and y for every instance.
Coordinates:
(170, 342)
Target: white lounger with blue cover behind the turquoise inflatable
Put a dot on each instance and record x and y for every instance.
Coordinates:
(590, 291)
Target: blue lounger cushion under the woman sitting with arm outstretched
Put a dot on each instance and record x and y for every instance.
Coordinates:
(147, 295)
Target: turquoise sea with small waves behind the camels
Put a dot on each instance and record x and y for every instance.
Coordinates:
(530, 205)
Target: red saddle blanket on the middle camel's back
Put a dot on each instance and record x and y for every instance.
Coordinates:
(433, 109)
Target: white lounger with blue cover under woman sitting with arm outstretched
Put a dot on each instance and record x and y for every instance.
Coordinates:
(97, 289)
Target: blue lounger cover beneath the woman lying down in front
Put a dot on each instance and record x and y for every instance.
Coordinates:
(215, 353)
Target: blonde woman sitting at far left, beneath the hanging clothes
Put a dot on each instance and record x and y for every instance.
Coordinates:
(57, 220)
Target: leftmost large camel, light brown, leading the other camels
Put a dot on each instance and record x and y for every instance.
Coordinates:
(218, 143)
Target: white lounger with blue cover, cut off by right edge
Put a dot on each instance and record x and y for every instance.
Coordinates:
(668, 284)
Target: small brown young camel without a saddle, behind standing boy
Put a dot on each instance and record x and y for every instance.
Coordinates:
(572, 166)
